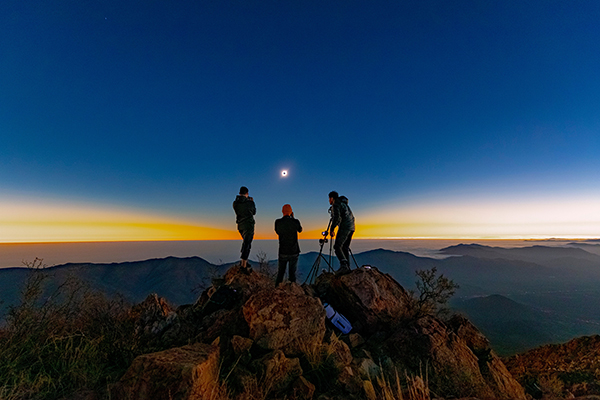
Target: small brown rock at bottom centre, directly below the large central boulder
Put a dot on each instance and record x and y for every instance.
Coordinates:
(277, 371)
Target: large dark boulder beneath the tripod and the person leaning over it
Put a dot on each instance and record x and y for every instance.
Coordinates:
(372, 301)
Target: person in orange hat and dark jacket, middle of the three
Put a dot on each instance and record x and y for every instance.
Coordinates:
(287, 228)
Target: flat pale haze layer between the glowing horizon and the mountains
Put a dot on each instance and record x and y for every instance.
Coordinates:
(214, 251)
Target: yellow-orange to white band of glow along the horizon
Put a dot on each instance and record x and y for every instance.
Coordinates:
(526, 219)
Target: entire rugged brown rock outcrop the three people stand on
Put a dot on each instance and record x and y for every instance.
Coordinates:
(244, 338)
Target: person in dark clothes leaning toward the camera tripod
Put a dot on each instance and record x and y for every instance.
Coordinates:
(341, 216)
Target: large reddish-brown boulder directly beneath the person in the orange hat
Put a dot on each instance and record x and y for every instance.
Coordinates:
(285, 318)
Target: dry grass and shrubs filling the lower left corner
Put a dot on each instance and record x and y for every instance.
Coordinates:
(64, 339)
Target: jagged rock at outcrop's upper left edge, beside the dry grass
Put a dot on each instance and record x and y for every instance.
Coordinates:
(153, 316)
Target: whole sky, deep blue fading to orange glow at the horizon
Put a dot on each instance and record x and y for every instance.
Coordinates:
(140, 120)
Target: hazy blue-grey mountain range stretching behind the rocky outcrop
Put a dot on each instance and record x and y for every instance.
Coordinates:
(519, 297)
